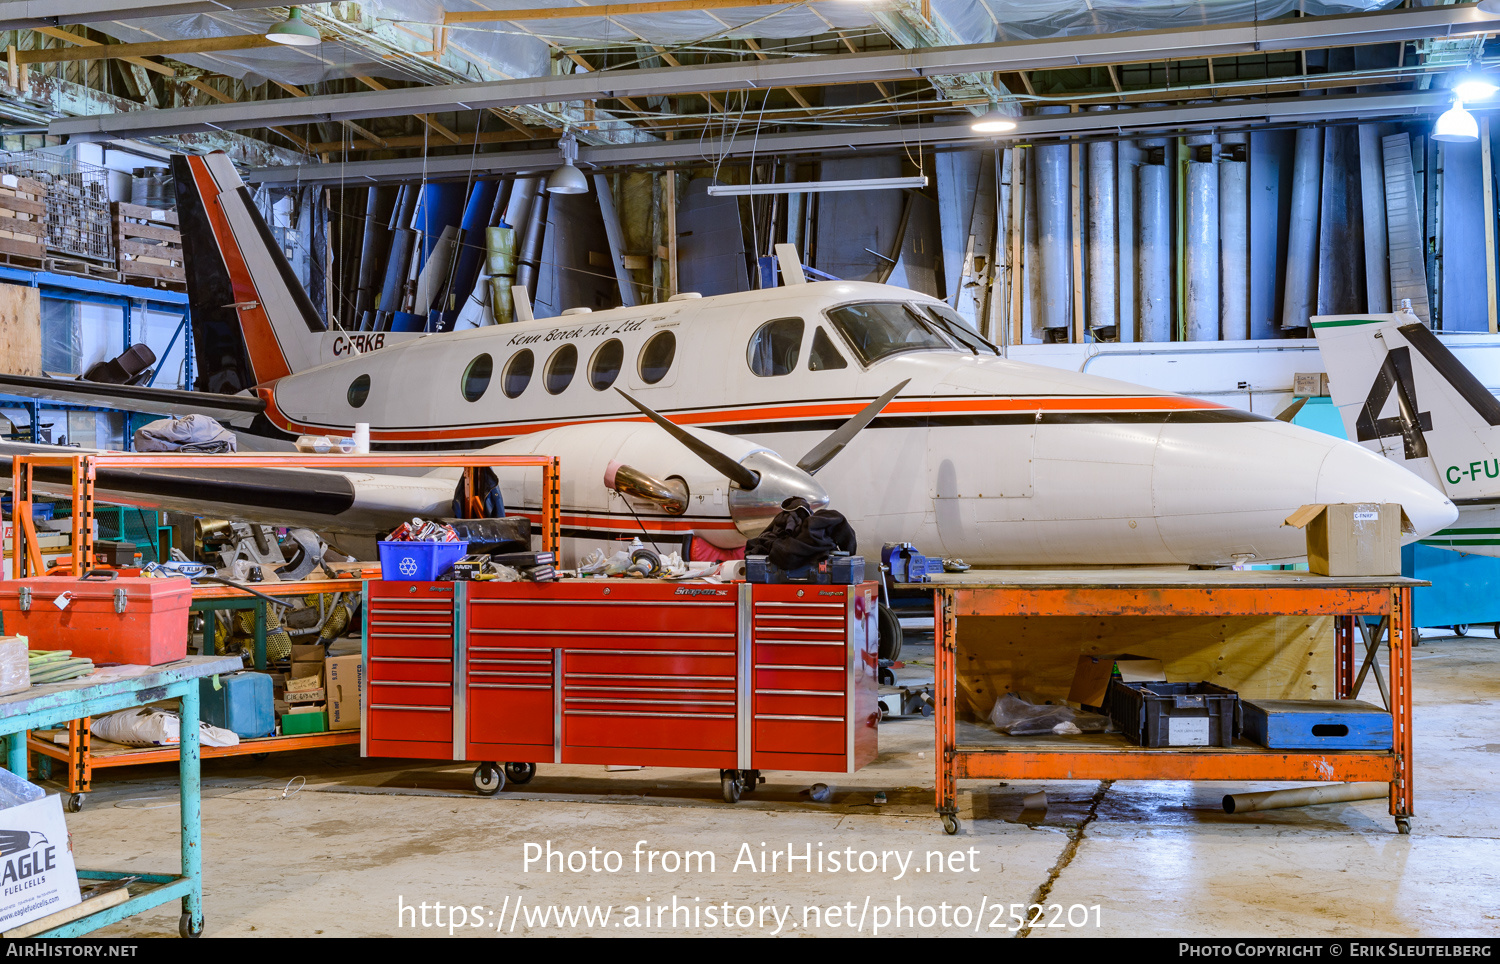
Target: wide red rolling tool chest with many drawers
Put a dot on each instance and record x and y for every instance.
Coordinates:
(631, 672)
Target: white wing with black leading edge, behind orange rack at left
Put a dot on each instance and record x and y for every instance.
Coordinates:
(338, 501)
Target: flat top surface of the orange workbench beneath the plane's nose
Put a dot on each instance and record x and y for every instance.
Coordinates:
(1159, 579)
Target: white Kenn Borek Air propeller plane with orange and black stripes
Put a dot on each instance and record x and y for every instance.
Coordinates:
(940, 440)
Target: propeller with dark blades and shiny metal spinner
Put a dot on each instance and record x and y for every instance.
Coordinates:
(763, 481)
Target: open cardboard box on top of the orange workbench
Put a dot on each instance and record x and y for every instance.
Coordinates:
(1354, 539)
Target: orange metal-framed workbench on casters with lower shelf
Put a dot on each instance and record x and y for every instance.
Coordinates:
(967, 750)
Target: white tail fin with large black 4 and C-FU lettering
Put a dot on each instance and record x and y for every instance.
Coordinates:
(1402, 394)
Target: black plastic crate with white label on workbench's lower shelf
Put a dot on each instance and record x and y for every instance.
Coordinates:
(1175, 714)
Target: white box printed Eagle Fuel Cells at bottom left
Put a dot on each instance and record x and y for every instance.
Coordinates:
(37, 855)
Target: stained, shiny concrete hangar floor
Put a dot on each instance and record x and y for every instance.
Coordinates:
(326, 843)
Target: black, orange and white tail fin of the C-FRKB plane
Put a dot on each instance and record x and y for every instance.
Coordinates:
(253, 322)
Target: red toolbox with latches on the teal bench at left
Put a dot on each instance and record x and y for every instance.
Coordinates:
(104, 617)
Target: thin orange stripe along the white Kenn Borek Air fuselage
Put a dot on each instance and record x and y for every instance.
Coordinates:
(778, 413)
